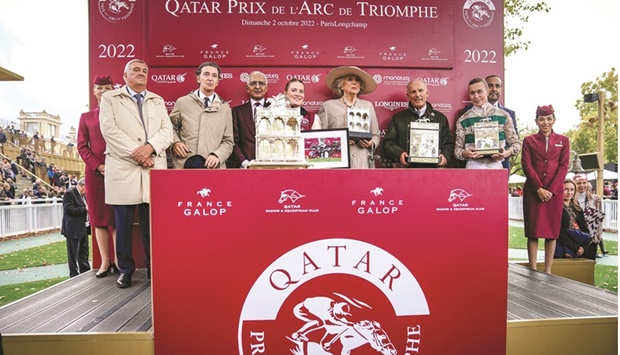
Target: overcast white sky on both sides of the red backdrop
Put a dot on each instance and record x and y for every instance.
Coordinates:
(46, 43)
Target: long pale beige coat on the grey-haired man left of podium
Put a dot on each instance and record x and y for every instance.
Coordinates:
(127, 182)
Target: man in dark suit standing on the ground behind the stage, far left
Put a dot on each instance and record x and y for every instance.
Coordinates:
(75, 228)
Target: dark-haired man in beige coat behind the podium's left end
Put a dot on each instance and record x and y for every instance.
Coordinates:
(202, 122)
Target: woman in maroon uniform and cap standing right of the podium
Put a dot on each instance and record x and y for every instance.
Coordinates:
(545, 158)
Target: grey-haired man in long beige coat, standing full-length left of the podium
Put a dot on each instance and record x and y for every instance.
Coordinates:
(137, 131)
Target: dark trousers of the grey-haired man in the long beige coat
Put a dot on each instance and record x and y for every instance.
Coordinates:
(123, 216)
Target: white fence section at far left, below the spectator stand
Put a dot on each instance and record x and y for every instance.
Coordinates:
(34, 216)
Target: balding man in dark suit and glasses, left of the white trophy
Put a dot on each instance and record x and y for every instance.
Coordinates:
(244, 127)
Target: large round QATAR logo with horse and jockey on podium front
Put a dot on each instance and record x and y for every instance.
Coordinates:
(331, 297)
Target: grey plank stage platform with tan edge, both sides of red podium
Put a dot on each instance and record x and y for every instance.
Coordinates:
(547, 314)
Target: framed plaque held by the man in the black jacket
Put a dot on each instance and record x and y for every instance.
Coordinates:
(424, 143)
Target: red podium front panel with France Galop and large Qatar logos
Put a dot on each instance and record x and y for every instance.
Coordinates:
(329, 262)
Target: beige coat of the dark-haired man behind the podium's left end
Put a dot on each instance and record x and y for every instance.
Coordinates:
(204, 131)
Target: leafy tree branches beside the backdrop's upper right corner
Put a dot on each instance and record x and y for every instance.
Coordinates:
(516, 15)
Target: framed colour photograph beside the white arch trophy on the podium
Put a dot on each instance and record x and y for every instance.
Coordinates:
(326, 148)
